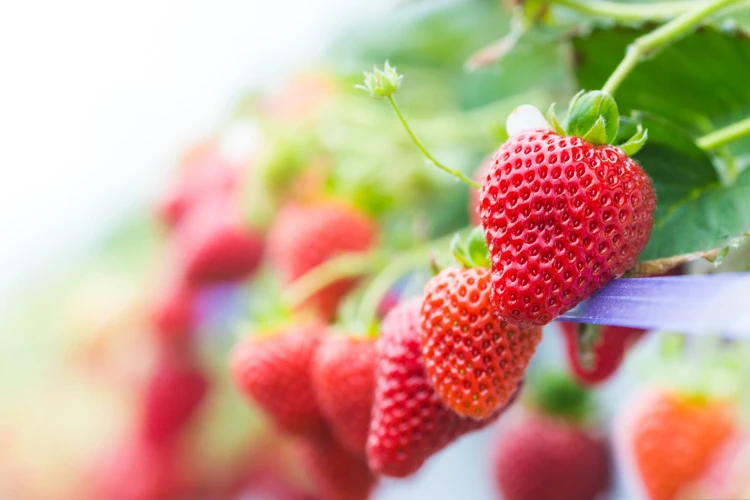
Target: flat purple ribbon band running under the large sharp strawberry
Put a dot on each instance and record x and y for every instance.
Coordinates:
(697, 304)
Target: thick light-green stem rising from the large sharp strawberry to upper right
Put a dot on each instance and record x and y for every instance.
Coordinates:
(644, 46)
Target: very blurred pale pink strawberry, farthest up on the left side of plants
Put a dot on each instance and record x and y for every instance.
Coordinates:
(205, 173)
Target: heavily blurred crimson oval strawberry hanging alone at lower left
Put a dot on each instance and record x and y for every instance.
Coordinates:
(173, 395)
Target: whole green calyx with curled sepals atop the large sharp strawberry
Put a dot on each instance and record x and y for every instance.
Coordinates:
(594, 117)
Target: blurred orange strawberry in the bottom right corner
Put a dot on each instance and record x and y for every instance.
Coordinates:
(671, 439)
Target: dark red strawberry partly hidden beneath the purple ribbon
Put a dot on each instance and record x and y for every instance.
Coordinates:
(607, 354)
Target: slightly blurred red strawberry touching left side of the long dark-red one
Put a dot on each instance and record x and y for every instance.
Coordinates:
(344, 381)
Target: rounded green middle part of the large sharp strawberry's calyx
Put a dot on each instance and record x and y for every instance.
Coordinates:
(593, 116)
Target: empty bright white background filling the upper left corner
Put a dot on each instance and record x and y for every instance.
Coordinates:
(97, 99)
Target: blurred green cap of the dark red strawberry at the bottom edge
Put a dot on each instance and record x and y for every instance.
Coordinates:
(557, 395)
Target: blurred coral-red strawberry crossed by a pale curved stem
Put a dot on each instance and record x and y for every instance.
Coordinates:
(305, 236)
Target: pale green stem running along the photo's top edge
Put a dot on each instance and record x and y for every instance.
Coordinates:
(628, 12)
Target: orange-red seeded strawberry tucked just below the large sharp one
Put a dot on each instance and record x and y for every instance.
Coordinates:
(475, 360)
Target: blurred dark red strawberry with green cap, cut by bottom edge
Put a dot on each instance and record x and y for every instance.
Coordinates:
(547, 451)
